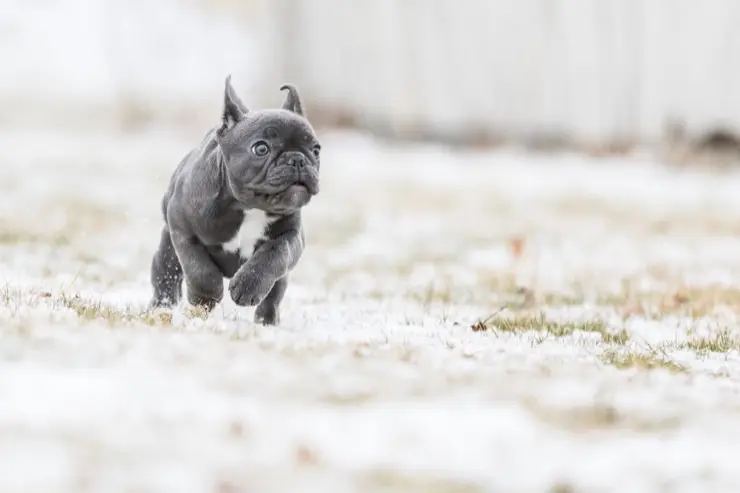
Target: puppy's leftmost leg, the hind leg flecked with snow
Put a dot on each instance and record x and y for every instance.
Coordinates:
(166, 274)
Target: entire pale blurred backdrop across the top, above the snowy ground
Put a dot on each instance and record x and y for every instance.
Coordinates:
(600, 76)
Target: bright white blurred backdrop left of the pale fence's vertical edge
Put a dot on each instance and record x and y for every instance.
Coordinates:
(95, 62)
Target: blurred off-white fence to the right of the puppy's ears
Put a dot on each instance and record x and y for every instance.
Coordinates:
(593, 70)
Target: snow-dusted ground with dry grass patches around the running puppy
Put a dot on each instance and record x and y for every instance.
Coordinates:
(376, 380)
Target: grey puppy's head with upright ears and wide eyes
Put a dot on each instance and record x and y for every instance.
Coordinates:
(271, 156)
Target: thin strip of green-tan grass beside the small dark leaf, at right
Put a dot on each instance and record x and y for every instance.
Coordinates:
(540, 323)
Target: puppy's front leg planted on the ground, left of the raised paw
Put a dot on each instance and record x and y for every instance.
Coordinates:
(203, 278)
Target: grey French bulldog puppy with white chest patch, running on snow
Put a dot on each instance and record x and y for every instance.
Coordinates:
(233, 209)
